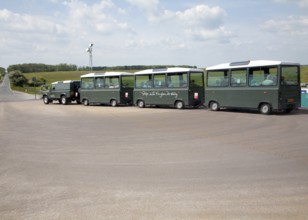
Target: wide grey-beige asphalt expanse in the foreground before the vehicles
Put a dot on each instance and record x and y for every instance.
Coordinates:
(99, 162)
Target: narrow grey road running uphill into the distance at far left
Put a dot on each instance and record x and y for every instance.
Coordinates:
(7, 95)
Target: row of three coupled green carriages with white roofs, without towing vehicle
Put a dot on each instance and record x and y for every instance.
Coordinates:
(261, 85)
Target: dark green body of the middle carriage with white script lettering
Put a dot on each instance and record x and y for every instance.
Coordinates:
(152, 87)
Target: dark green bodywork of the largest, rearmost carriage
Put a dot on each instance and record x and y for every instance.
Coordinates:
(280, 95)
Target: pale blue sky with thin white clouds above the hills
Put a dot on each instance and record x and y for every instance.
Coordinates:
(200, 33)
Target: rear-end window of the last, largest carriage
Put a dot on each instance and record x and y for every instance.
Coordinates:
(289, 75)
